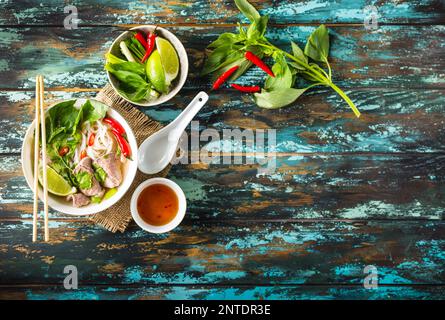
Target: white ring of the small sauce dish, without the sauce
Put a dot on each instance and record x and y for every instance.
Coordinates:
(182, 206)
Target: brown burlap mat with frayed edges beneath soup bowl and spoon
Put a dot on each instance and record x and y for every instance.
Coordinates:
(118, 216)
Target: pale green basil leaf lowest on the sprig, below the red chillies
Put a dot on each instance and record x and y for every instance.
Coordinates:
(277, 98)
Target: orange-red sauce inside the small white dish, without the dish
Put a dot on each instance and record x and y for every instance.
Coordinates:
(158, 204)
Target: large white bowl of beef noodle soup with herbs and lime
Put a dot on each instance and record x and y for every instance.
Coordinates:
(91, 156)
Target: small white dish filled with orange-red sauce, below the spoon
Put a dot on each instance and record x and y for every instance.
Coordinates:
(158, 205)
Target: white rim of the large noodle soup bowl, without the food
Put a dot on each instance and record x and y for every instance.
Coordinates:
(59, 203)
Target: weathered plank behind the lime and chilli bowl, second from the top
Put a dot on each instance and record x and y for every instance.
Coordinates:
(392, 56)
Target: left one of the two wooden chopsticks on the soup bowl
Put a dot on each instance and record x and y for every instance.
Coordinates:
(36, 162)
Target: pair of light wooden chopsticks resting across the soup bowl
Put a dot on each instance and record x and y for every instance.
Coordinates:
(40, 131)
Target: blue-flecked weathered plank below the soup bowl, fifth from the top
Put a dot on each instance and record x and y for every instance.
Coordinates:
(229, 252)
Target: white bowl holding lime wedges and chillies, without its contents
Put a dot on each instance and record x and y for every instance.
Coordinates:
(177, 84)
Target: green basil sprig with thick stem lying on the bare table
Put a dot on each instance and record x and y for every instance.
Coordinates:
(312, 64)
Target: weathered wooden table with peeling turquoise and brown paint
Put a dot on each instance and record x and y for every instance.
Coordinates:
(347, 193)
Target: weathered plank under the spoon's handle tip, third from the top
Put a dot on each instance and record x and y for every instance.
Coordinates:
(393, 120)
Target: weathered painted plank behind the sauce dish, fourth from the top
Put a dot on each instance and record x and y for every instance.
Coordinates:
(301, 187)
